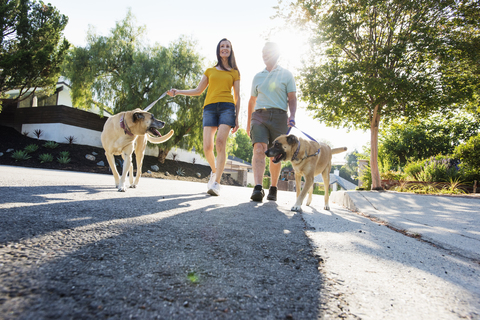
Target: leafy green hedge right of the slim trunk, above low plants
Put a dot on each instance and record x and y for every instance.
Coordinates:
(401, 141)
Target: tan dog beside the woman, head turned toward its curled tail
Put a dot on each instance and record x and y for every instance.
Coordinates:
(125, 131)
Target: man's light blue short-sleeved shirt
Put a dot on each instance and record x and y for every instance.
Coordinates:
(272, 88)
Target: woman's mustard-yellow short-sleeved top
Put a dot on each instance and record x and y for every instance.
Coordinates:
(220, 83)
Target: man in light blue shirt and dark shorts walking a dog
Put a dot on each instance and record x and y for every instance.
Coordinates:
(273, 92)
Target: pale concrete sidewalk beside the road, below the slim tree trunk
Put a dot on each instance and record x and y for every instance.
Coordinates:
(452, 223)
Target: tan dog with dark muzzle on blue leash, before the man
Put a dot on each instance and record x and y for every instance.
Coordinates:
(309, 159)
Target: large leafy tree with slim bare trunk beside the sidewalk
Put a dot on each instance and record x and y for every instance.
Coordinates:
(374, 61)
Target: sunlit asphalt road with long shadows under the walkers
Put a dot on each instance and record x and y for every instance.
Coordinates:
(72, 247)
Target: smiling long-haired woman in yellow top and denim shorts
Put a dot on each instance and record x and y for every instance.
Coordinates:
(220, 110)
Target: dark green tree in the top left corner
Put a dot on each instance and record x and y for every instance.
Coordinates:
(31, 47)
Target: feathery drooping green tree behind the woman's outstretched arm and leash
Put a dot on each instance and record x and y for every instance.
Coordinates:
(119, 73)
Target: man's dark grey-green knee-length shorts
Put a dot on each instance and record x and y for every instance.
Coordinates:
(267, 125)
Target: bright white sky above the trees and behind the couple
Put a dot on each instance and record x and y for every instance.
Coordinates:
(247, 24)
